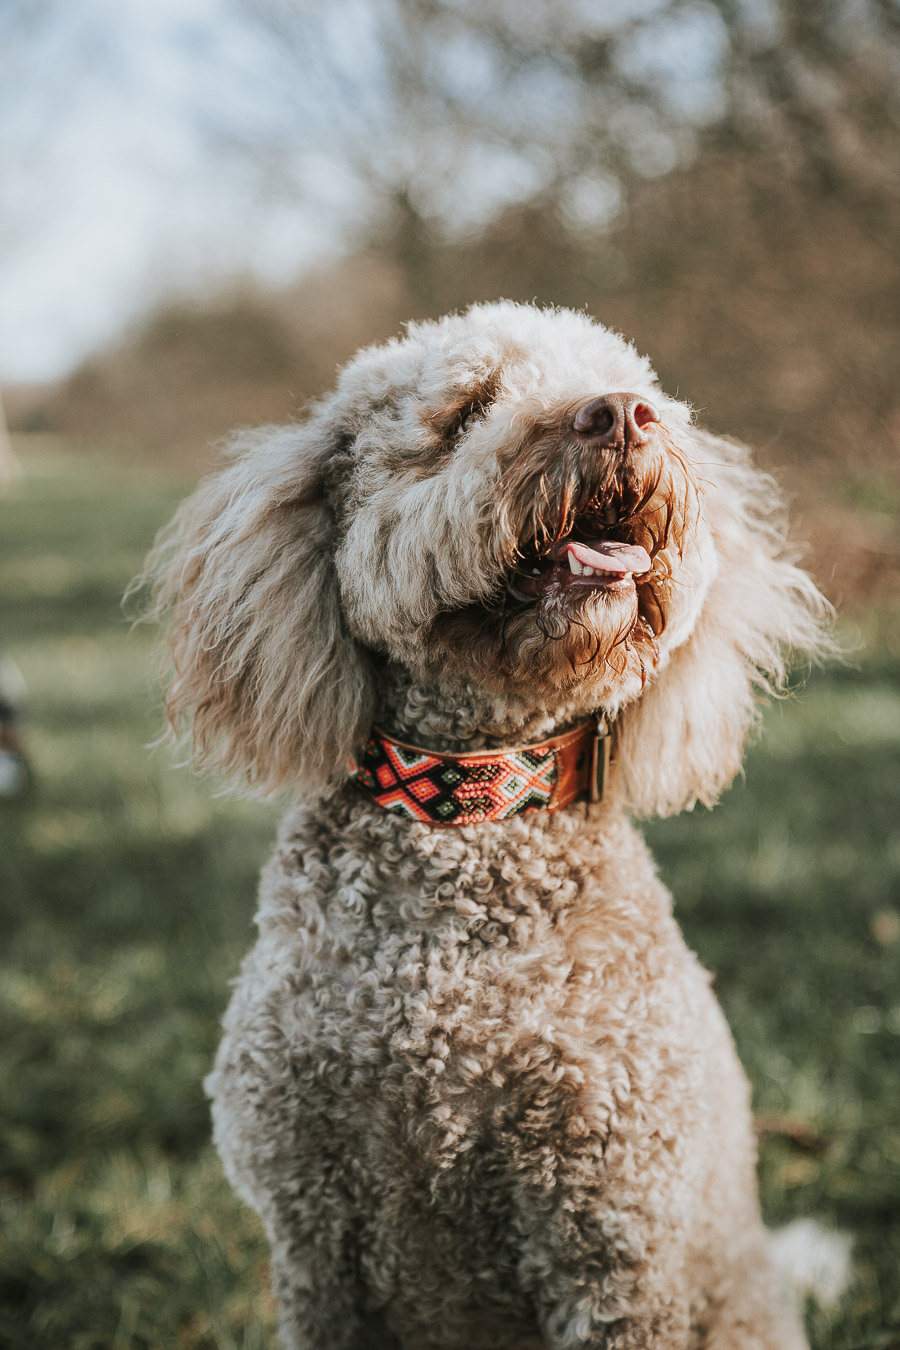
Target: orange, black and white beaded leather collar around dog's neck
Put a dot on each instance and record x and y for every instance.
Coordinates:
(485, 785)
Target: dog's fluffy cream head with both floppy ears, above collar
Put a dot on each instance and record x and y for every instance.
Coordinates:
(503, 503)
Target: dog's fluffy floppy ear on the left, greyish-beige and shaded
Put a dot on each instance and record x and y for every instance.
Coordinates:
(265, 677)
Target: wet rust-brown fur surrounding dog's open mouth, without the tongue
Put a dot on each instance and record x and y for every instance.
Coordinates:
(557, 488)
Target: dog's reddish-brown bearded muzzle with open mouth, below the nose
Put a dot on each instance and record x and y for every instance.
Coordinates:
(550, 624)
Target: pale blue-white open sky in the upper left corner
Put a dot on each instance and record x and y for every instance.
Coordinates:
(111, 196)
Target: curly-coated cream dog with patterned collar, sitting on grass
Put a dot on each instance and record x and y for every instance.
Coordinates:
(473, 1081)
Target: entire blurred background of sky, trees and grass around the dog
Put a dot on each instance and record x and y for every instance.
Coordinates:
(206, 207)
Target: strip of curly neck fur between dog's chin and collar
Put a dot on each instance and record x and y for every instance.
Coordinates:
(458, 718)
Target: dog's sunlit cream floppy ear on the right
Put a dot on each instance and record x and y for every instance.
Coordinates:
(683, 740)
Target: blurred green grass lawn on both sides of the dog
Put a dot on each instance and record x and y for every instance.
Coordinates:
(126, 902)
